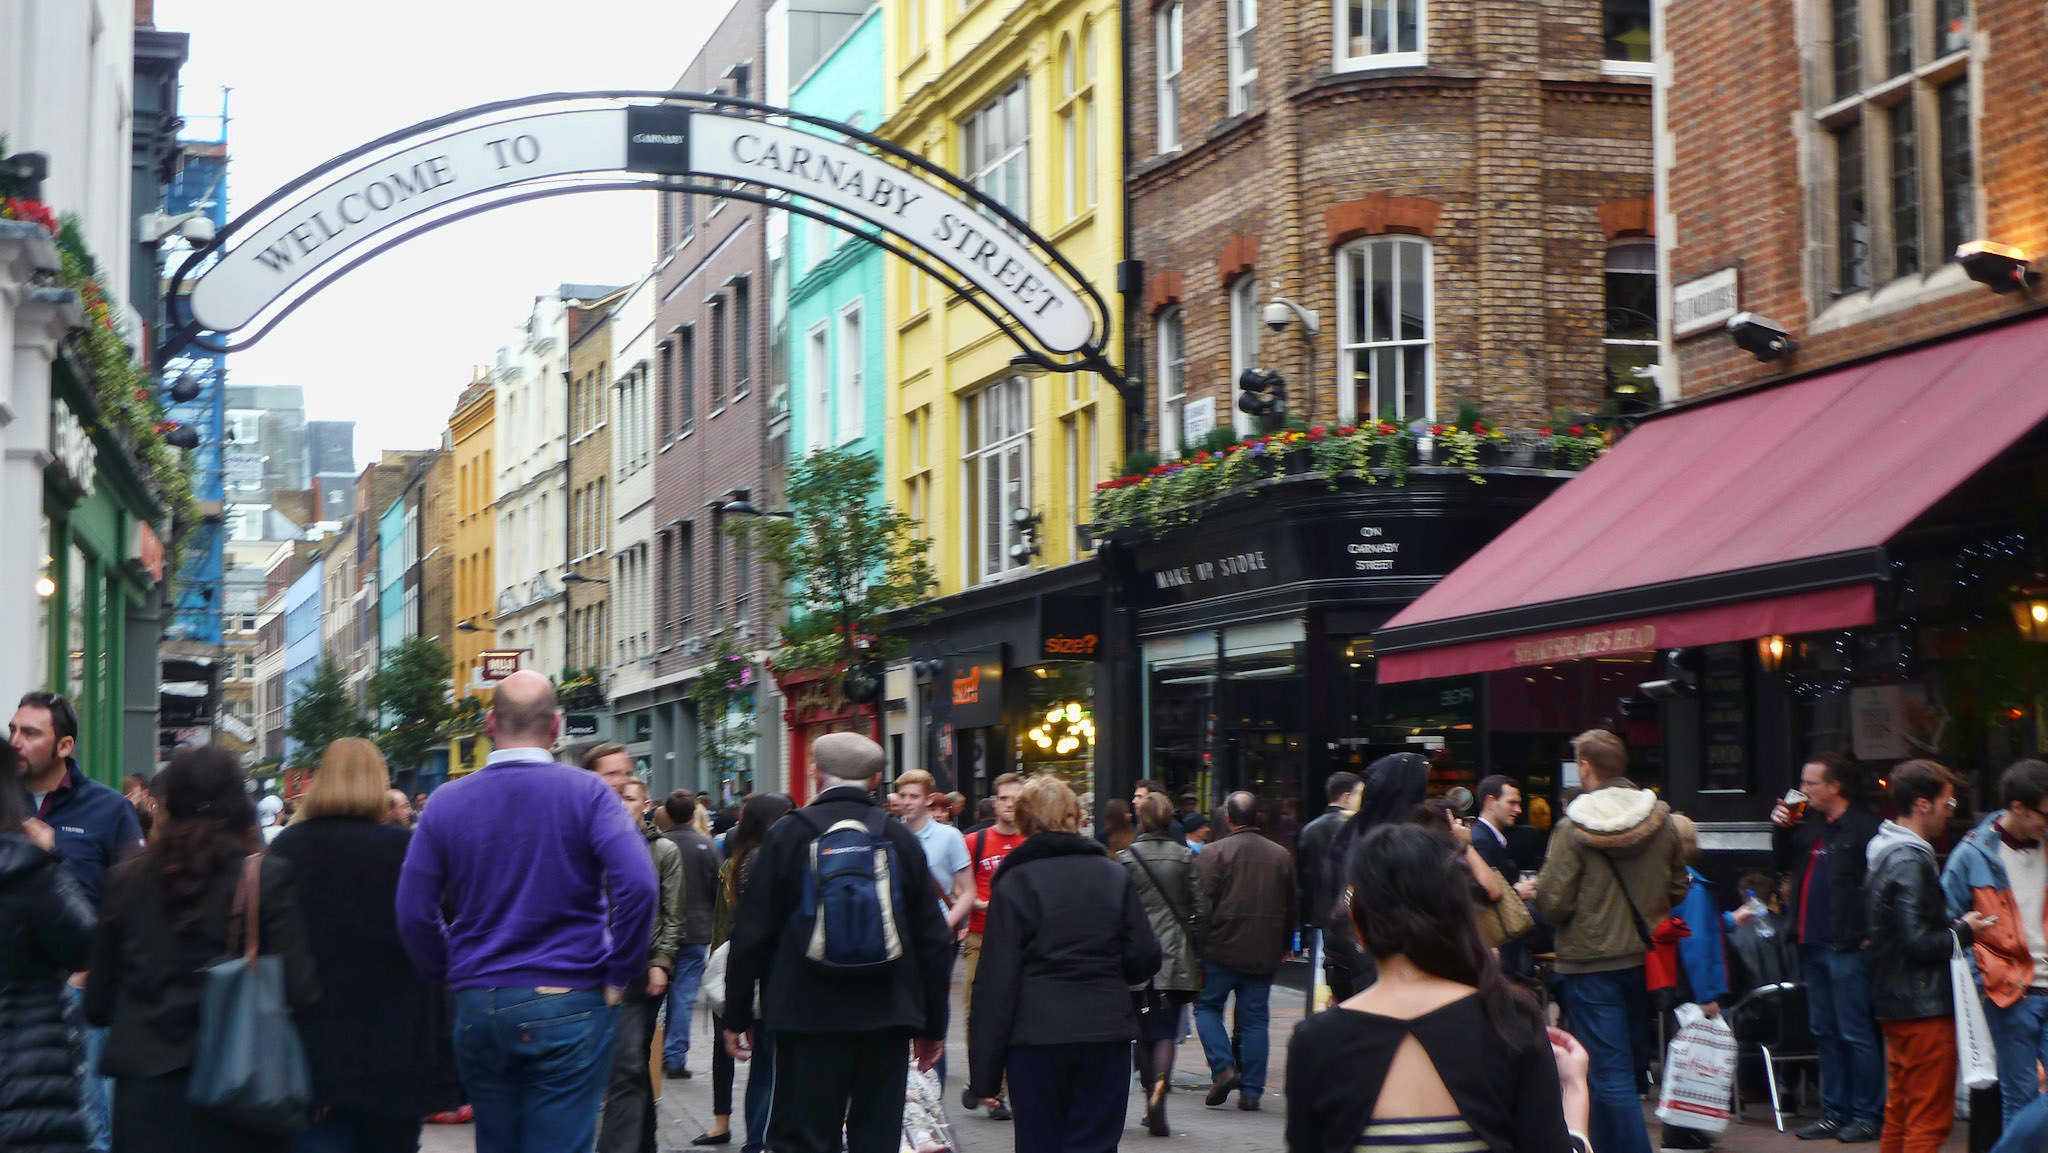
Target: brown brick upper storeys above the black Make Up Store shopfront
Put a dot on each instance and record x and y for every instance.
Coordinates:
(1474, 171)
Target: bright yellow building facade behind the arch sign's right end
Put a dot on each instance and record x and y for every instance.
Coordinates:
(1021, 99)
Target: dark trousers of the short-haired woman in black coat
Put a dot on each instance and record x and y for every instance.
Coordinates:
(1070, 1099)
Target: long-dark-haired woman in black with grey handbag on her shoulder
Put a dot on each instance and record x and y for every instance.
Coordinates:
(163, 925)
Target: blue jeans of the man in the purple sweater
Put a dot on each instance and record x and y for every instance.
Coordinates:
(536, 1066)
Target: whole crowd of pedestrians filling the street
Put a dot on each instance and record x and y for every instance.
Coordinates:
(529, 949)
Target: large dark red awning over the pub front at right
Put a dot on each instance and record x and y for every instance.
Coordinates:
(1764, 513)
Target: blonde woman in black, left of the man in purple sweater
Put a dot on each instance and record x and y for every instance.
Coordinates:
(378, 1039)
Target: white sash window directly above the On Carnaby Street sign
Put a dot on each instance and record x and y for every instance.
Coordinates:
(1388, 333)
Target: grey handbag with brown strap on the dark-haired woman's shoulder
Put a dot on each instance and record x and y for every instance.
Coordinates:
(249, 1066)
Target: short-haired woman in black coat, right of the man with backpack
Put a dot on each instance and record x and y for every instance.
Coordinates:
(1066, 941)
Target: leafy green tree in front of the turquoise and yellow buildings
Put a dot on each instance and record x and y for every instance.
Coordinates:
(847, 560)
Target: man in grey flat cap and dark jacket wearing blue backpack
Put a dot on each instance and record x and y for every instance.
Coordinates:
(853, 955)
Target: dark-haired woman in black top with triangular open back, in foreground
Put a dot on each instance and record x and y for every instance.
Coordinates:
(1482, 1070)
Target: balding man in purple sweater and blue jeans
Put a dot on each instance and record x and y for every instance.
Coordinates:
(531, 894)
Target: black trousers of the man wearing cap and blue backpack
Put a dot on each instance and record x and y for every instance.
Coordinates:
(833, 1080)
